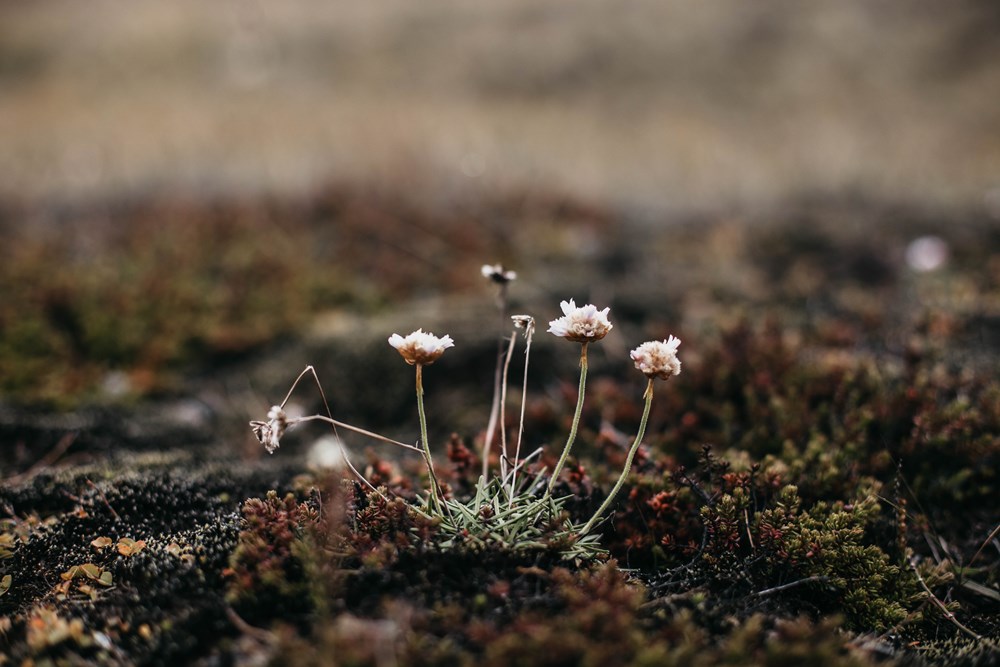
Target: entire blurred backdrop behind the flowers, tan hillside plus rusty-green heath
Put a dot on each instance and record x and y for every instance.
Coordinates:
(197, 199)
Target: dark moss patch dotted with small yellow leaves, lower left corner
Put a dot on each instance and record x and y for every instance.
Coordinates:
(167, 600)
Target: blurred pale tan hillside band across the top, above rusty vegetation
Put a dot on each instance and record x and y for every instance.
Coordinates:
(662, 103)
